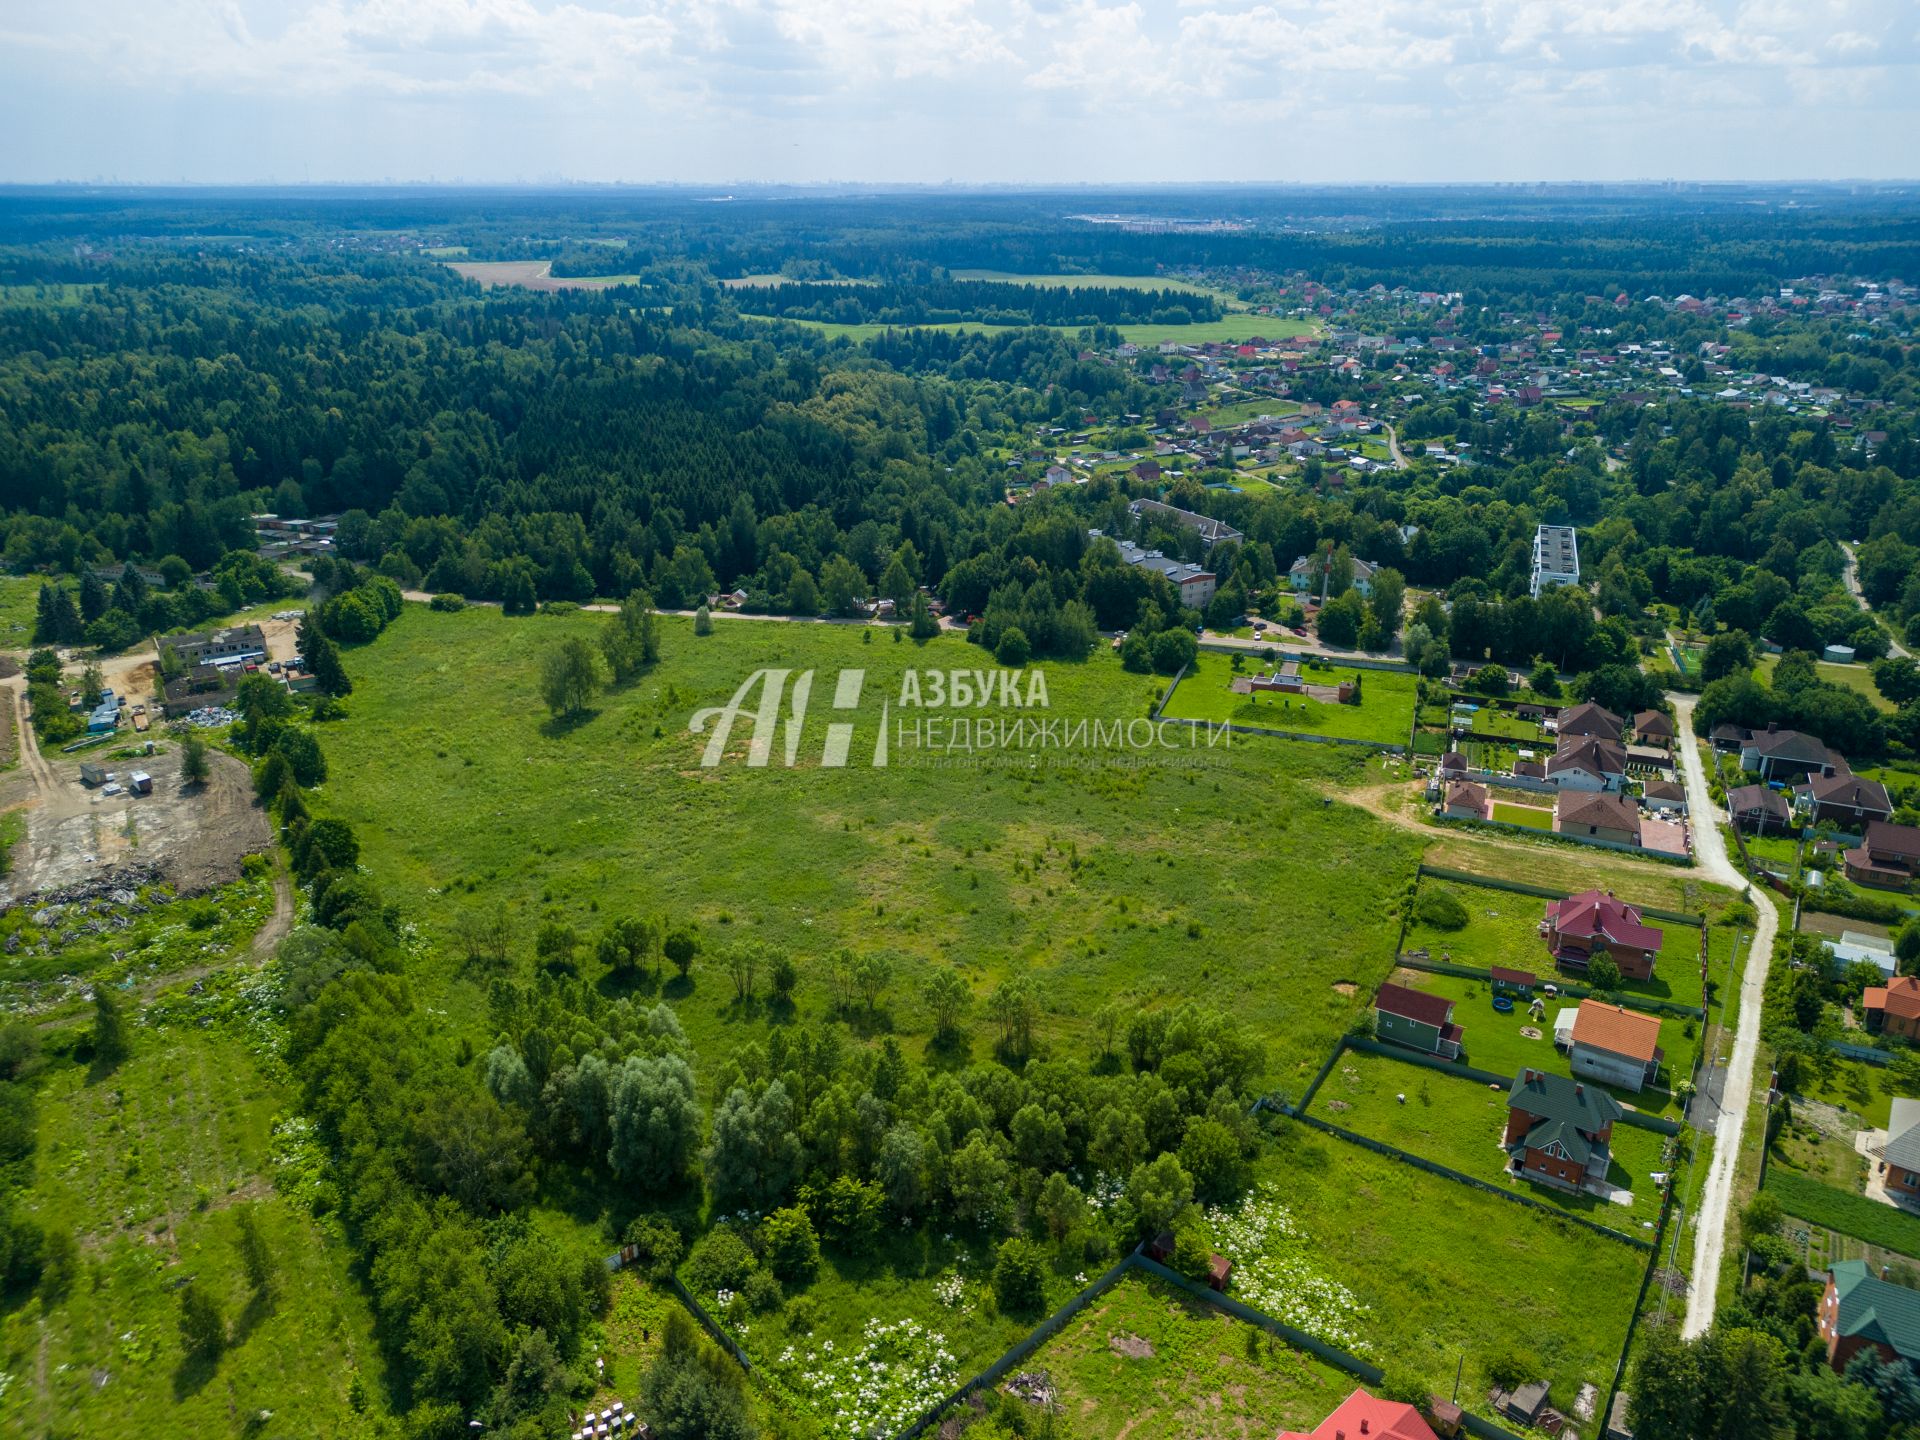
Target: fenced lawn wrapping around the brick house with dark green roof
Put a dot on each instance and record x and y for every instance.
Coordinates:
(1458, 1122)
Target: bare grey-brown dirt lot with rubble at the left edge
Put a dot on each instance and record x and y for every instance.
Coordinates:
(197, 838)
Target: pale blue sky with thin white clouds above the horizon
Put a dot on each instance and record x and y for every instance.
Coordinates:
(972, 91)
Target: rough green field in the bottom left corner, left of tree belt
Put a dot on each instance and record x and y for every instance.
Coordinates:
(147, 1168)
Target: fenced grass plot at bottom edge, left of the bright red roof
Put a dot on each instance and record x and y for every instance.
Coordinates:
(1151, 1362)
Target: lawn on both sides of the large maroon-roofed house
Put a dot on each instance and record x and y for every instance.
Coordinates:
(1504, 930)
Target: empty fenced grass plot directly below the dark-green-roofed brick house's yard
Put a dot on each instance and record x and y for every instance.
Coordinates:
(1451, 1274)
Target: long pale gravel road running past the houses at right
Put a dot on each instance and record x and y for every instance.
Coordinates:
(1737, 1092)
